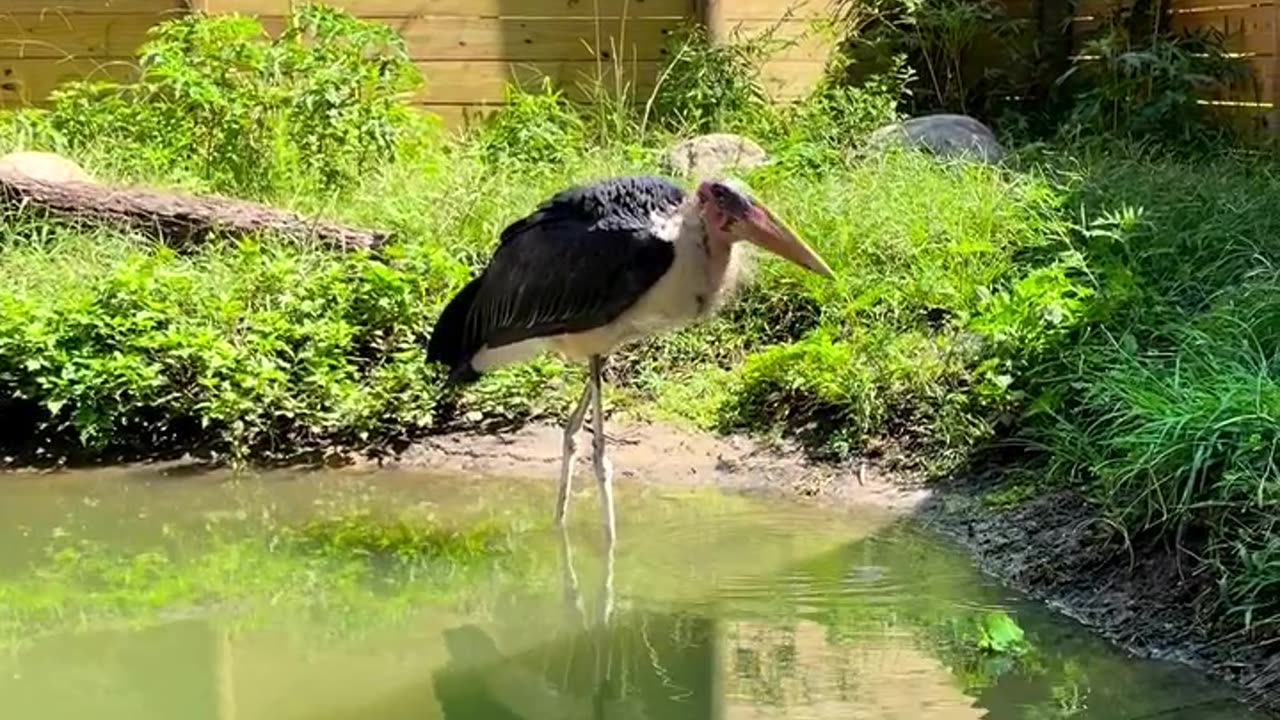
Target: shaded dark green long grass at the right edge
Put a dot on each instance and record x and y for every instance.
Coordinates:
(1163, 405)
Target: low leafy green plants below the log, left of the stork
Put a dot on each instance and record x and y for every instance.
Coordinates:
(245, 349)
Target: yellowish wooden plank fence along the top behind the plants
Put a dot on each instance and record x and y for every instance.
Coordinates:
(470, 49)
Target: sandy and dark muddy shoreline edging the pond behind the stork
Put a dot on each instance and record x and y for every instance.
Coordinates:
(1046, 548)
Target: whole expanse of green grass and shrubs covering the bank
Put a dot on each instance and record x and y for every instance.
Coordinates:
(1116, 307)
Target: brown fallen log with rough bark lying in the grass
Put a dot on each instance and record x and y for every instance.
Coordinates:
(177, 220)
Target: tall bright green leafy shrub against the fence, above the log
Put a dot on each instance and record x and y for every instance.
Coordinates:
(250, 113)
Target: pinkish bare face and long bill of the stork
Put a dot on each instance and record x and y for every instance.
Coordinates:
(732, 217)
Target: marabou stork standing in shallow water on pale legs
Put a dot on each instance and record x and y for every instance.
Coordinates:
(597, 267)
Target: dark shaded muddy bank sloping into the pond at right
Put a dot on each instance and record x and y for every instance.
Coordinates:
(1142, 598)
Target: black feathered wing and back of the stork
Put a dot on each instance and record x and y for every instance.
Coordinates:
(577, 263)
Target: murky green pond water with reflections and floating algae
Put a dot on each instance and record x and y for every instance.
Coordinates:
(348, 595)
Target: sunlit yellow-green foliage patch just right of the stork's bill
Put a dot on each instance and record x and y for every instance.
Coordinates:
(940, 297)
